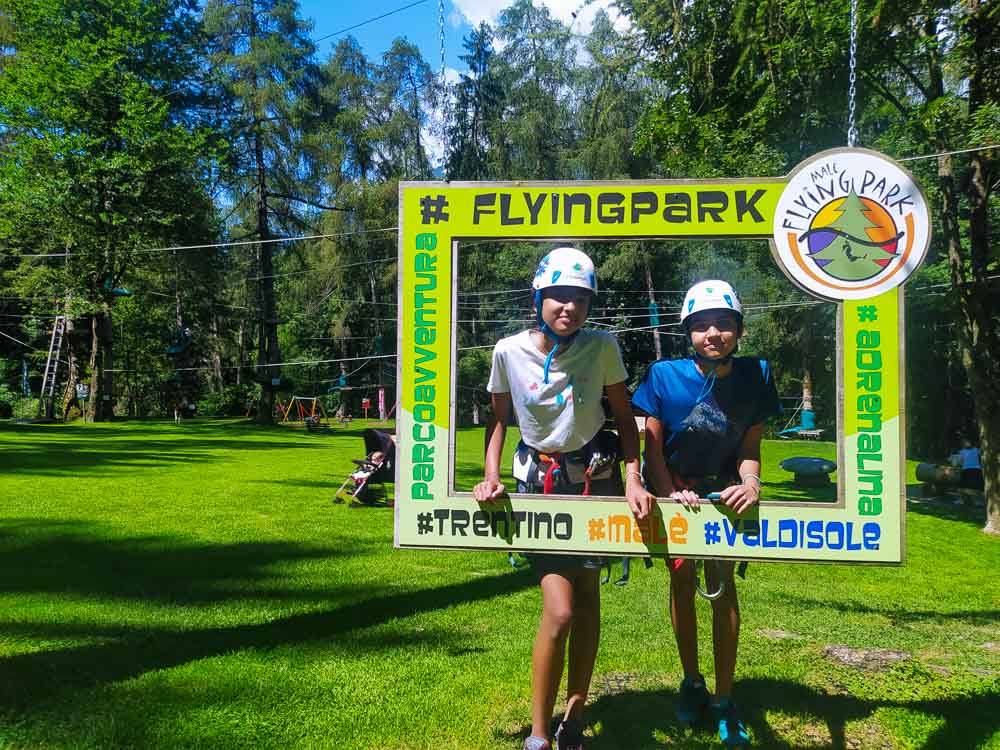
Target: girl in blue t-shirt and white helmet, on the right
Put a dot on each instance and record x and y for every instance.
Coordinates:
(705, 418)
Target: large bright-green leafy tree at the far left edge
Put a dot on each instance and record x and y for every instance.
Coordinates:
(104, 154)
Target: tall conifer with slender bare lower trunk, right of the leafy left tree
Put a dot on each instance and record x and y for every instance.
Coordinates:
(262, 66)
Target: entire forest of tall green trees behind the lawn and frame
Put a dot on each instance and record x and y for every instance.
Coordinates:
(163, 159)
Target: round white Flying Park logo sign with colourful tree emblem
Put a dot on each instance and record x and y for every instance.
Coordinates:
(850, 224)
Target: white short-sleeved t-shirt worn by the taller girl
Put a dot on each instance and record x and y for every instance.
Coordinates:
(565, 413)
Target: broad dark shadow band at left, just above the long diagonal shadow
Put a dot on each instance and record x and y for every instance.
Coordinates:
(77, 559)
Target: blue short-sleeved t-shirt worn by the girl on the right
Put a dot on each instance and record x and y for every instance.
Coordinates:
(705, 418)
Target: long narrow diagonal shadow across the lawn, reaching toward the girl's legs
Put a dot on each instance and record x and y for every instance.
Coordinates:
(28, 680)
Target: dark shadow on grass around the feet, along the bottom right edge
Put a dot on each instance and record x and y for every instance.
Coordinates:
(641, 720)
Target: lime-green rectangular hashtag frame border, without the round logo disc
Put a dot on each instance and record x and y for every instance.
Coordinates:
(866, 525)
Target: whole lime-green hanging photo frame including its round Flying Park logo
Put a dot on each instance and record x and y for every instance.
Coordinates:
(848, 225)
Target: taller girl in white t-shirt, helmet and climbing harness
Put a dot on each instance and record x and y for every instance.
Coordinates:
(553, 378)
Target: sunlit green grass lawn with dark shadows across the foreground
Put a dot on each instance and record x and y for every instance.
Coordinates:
(193, 586)
